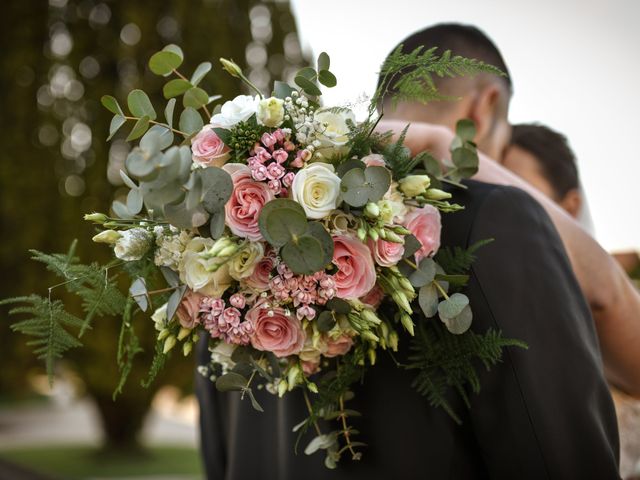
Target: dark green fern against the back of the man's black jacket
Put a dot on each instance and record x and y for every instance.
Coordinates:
(446, 362)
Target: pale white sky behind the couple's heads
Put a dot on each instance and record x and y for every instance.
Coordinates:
(574, 63)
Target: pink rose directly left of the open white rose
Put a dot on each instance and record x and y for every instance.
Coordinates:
(248, 197)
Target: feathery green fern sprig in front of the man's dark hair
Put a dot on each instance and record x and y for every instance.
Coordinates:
(410, 76)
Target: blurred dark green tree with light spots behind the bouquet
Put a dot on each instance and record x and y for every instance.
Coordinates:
(58, 59)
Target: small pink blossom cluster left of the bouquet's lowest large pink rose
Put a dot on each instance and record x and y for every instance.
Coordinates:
(222, 321)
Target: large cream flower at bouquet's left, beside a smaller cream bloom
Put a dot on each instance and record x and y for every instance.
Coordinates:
(200, 274)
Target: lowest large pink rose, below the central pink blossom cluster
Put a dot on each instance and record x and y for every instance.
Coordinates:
(275, 331)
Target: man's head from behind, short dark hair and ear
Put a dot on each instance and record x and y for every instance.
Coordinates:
(483, 98)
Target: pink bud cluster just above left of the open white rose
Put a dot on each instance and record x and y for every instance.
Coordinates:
(268, 158)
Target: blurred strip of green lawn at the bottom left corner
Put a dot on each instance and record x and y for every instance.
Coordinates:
(78, 462)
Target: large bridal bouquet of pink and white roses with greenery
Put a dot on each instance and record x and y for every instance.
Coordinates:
(299, 242)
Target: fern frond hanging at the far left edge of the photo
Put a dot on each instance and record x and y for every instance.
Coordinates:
(48, 324)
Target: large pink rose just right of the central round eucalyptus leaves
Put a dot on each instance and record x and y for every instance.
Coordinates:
(356, 273)
